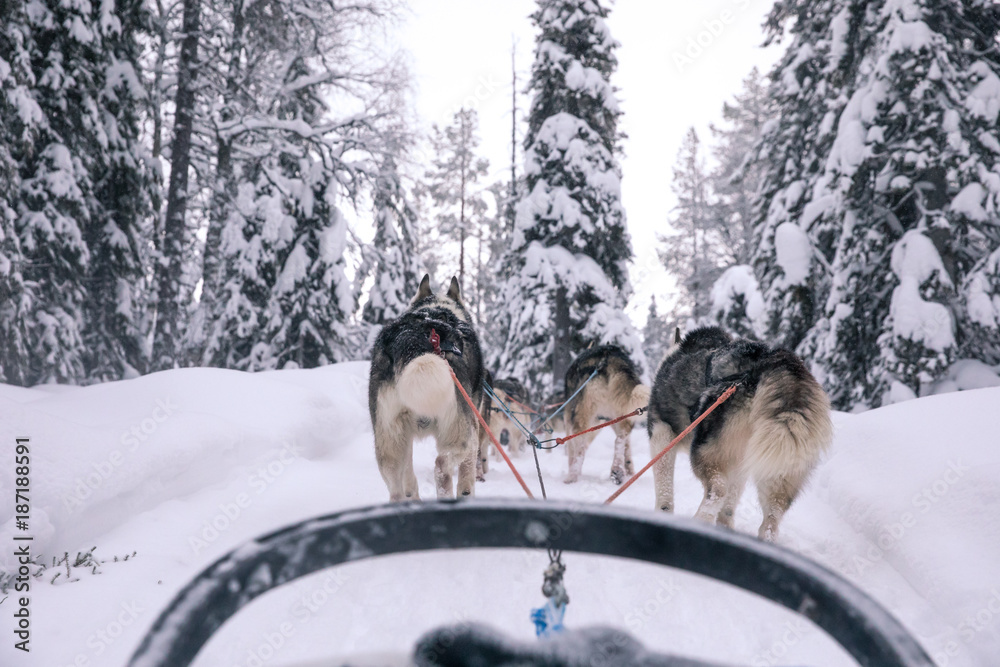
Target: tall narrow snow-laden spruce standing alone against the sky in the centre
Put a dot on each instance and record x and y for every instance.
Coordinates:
(567, 267)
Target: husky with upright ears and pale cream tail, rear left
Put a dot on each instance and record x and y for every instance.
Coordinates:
(411, 393)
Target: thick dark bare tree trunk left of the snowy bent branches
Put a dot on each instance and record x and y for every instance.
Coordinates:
(170, 269)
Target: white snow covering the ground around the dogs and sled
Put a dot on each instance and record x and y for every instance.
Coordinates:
(182, 466)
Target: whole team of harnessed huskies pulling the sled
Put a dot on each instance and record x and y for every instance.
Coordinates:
(772, 430)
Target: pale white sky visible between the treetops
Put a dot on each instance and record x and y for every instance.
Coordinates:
(678, 62)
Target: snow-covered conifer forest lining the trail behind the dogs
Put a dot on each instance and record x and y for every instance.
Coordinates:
(190, 183)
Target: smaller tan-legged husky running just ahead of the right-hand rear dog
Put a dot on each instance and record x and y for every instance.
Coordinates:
(614, 391)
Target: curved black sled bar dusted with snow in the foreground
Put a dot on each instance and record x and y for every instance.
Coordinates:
(869, 633)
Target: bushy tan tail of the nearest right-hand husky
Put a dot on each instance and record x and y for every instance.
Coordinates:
(788, 439)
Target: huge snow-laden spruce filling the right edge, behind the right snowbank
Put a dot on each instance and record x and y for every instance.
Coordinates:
(881, 190)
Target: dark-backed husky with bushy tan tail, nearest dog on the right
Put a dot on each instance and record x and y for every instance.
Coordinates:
(773, 429)
